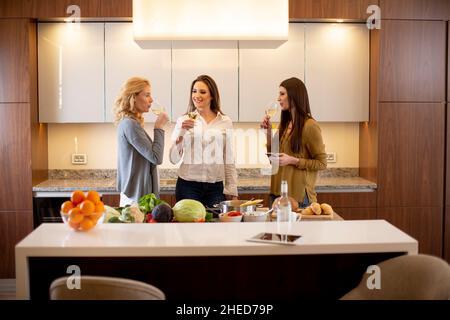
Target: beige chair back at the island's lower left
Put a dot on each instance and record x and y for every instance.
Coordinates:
(104, 288)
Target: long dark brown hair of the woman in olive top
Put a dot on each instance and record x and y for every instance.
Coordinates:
(299, 106)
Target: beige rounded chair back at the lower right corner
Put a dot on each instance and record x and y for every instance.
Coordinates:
(408, 277)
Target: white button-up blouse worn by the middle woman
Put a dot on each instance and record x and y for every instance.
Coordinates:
(206, 152)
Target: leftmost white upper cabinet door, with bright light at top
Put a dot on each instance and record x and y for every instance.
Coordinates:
(71, 72)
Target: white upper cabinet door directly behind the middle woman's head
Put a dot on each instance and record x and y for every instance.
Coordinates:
(216, 59)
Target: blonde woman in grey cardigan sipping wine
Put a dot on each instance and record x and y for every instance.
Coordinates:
(138, 154)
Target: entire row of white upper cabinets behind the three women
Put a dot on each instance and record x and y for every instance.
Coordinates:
(82, 68)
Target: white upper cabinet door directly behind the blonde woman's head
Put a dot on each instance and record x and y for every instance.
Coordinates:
(125, 59)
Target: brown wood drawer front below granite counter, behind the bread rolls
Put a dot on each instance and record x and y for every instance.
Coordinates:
(349, 199)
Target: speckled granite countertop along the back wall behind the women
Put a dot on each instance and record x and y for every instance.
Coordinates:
(250, 181)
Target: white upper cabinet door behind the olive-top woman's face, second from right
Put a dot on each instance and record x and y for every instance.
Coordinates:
(262, 70)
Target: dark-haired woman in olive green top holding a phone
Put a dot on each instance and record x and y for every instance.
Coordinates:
(301, 149)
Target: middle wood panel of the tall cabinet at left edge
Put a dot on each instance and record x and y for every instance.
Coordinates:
(15, 157)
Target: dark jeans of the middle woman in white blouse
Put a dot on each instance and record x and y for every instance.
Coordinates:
(207, 193)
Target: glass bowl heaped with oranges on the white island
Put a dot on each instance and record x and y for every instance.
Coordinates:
(83, 211)
